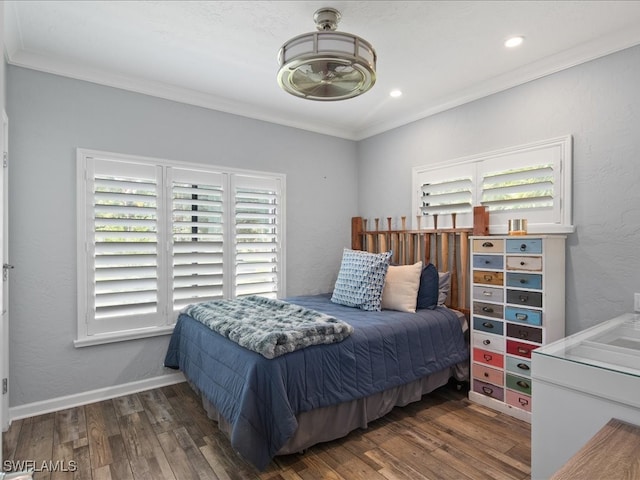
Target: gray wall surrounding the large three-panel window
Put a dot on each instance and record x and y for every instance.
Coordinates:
(49, 117)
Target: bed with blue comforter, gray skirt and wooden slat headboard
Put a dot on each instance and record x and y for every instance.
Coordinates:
(320, 392)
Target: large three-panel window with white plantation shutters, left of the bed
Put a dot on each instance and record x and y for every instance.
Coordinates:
(155, 236)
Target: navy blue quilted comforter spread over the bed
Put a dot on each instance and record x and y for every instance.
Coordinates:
(260, 397)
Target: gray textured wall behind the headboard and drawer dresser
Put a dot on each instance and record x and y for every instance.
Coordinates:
(599, 104)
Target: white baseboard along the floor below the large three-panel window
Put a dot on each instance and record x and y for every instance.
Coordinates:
(75, 400)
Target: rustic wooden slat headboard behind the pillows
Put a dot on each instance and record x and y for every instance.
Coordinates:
(446, 248)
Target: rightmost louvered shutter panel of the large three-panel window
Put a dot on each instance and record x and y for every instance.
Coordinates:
(258, 223)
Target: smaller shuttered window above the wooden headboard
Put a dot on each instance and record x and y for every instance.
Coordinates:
(531, 181)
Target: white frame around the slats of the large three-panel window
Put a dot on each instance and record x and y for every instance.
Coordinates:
(86, 237)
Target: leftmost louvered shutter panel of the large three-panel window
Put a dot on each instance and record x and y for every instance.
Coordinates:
(123, 249)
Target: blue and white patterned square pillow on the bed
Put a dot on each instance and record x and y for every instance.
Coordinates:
(361, 279)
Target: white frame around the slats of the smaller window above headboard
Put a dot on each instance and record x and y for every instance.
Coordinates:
(557, 219)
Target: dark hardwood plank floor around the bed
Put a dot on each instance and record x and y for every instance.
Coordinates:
(165, 434)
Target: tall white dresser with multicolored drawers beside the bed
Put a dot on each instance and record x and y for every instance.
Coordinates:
(517, 305)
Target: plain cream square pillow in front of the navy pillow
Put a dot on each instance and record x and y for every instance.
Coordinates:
(401, 285)
